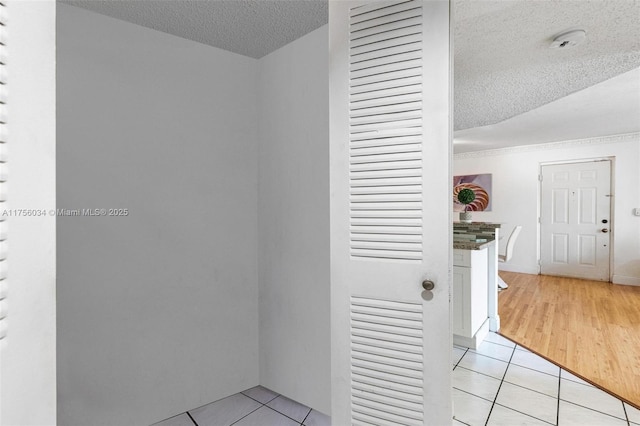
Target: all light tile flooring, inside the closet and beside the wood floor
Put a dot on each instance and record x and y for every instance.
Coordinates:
(500, 383)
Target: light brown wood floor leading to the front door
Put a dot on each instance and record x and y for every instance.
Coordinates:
(589, 328)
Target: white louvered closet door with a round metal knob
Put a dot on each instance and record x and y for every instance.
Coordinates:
(390, 212)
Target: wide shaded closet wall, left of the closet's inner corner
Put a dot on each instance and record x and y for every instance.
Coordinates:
(158, 311)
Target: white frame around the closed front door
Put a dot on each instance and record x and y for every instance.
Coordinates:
(612, 165)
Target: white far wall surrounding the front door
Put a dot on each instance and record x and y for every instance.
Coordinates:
(516, 194)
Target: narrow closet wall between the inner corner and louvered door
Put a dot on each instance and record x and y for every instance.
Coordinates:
(294, 221)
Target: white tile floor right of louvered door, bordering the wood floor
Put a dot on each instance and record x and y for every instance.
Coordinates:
(501, 383)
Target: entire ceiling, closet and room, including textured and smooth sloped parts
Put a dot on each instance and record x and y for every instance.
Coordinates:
(510, 88)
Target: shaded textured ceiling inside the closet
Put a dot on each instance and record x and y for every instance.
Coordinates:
(252, 28)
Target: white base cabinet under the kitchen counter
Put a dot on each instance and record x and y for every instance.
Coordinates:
(470, 294)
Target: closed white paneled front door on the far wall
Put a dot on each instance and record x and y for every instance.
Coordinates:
(575, 220)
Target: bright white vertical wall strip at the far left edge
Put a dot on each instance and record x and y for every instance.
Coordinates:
(28, 352)
